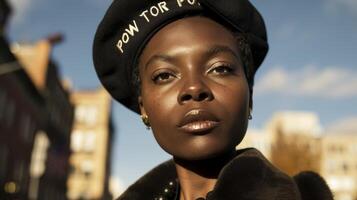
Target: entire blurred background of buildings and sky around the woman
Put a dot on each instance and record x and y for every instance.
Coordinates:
(62, 137)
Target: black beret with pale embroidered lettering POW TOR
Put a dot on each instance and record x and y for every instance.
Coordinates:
(129, 24)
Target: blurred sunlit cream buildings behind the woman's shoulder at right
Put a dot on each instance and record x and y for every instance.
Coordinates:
(295, 141)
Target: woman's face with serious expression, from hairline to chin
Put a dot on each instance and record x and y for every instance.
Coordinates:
(194, 89)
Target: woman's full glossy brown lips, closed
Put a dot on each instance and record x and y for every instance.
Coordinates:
(198, 121)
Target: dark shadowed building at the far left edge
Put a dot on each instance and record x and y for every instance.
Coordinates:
(21, 117)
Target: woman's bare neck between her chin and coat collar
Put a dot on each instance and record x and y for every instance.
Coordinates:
(197, 178)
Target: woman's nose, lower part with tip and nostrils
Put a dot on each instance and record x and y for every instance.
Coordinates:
(195, 90)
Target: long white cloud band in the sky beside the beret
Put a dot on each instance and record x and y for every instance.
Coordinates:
(330, 82)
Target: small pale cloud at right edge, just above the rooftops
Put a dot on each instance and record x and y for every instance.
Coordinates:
(347, 125)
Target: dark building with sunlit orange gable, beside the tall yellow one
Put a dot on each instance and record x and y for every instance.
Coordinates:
(37, 62)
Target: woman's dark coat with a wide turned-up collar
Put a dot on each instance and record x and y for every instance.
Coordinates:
(249, 176)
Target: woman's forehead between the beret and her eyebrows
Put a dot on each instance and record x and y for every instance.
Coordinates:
(190, 33)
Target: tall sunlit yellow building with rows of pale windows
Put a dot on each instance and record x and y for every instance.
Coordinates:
(91, 144)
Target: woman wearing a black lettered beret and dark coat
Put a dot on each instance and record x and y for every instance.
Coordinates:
(187, 68)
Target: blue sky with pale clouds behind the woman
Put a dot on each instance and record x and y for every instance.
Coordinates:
(311, 66)
